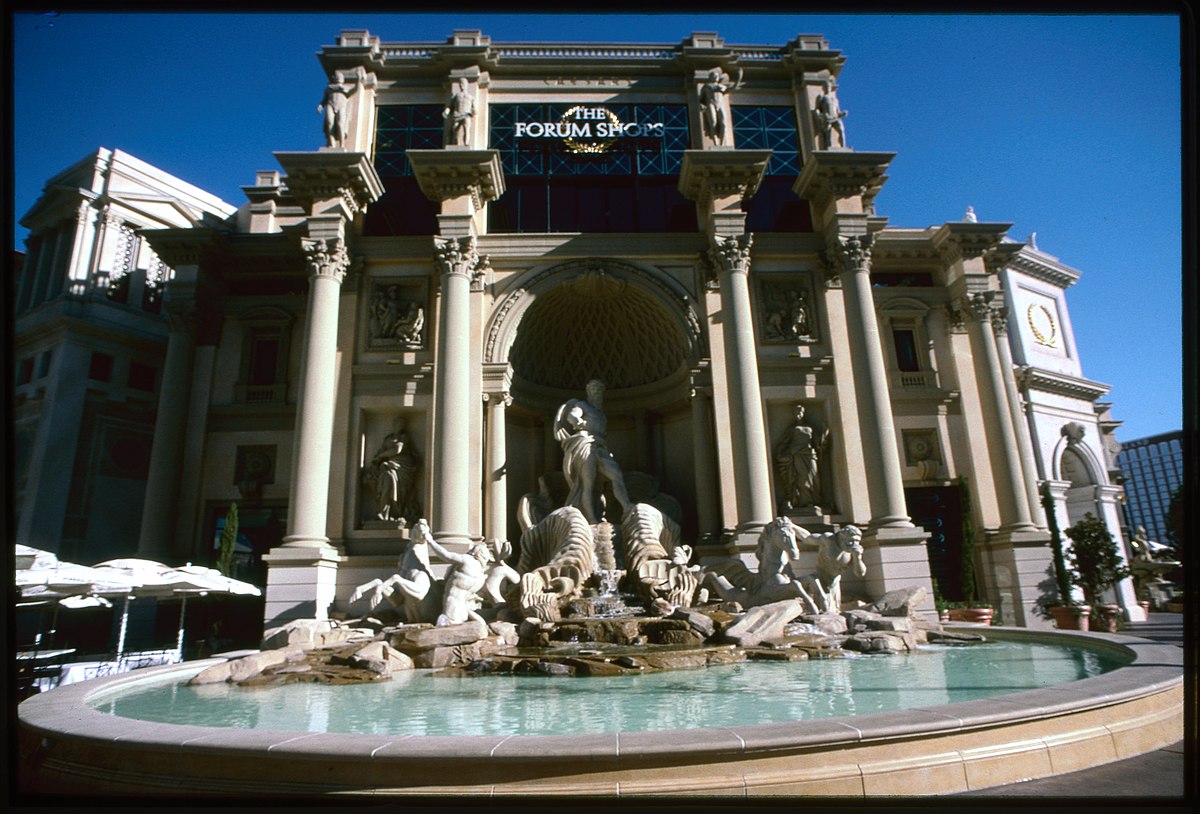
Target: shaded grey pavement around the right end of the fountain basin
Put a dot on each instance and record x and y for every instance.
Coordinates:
(1161, 777)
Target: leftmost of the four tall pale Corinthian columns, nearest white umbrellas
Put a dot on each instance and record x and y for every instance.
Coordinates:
(309, 506)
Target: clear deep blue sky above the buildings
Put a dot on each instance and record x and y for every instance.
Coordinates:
(1064, 125)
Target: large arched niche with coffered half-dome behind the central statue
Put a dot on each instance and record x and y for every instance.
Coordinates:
(631, 327)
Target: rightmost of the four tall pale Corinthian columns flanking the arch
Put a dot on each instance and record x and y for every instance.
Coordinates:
(884, 472)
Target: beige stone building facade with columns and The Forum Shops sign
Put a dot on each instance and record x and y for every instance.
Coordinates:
(388, 327)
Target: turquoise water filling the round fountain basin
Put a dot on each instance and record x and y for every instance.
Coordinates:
(419, 703)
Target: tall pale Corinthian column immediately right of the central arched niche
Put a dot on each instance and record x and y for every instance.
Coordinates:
(748, 435)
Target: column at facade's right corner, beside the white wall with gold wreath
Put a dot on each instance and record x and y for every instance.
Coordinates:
(1010, 480)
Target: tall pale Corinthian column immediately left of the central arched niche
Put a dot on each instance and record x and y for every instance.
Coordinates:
(458, 265)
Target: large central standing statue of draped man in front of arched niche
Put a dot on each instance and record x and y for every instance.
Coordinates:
(581, 427)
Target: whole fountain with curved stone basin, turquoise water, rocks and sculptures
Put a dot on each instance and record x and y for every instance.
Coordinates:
(616, 625)
